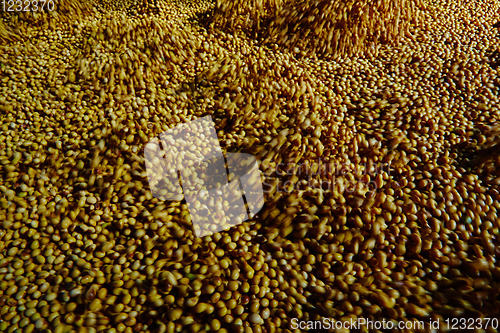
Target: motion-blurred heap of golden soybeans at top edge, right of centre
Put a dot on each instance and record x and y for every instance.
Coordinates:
(341, 28)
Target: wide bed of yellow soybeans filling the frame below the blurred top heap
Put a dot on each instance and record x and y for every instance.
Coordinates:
(409, 229)
